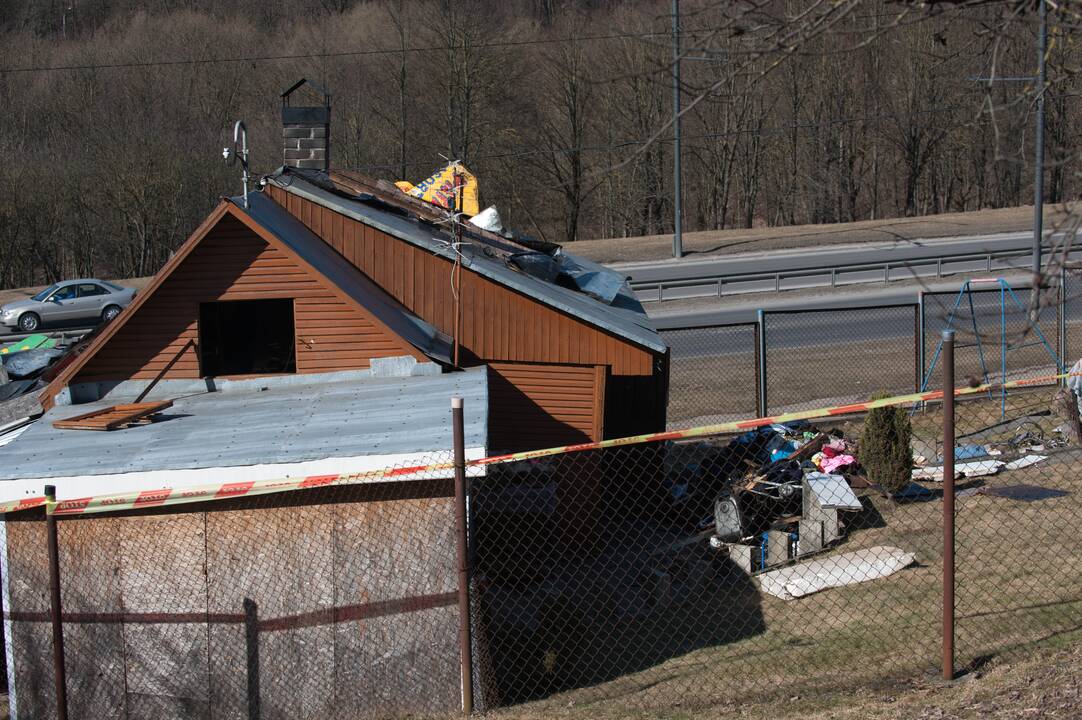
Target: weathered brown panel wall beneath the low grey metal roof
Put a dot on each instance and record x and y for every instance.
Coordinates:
(349, 598)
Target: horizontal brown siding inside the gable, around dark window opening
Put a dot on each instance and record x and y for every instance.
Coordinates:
(232, 263)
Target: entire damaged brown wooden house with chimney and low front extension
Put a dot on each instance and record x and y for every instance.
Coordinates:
(314, 328)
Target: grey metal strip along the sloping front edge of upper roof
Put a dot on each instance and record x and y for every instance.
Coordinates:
(625, 318)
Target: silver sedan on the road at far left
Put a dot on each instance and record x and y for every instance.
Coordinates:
(71, 302)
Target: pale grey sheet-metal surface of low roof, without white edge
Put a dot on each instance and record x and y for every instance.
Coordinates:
(282, 424)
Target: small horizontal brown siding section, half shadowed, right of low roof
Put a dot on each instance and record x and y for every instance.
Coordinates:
(533, 407)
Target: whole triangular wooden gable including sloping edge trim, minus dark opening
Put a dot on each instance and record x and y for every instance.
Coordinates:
(342, 320)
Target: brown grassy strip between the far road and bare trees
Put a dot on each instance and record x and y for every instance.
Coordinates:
(730, 242)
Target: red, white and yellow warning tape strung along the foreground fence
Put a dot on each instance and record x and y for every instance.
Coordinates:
(169, 496)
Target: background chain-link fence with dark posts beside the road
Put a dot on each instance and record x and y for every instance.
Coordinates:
(798, 360)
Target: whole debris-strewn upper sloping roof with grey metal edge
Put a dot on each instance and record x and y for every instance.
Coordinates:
(532, 268)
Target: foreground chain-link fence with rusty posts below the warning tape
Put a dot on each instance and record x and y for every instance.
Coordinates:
(750, 567)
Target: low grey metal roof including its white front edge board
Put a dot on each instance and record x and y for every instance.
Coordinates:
(261, 428)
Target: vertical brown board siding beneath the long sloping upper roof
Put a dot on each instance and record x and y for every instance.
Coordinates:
(499, 324)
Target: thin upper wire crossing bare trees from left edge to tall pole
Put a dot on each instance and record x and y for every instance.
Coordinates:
(345, 54)
